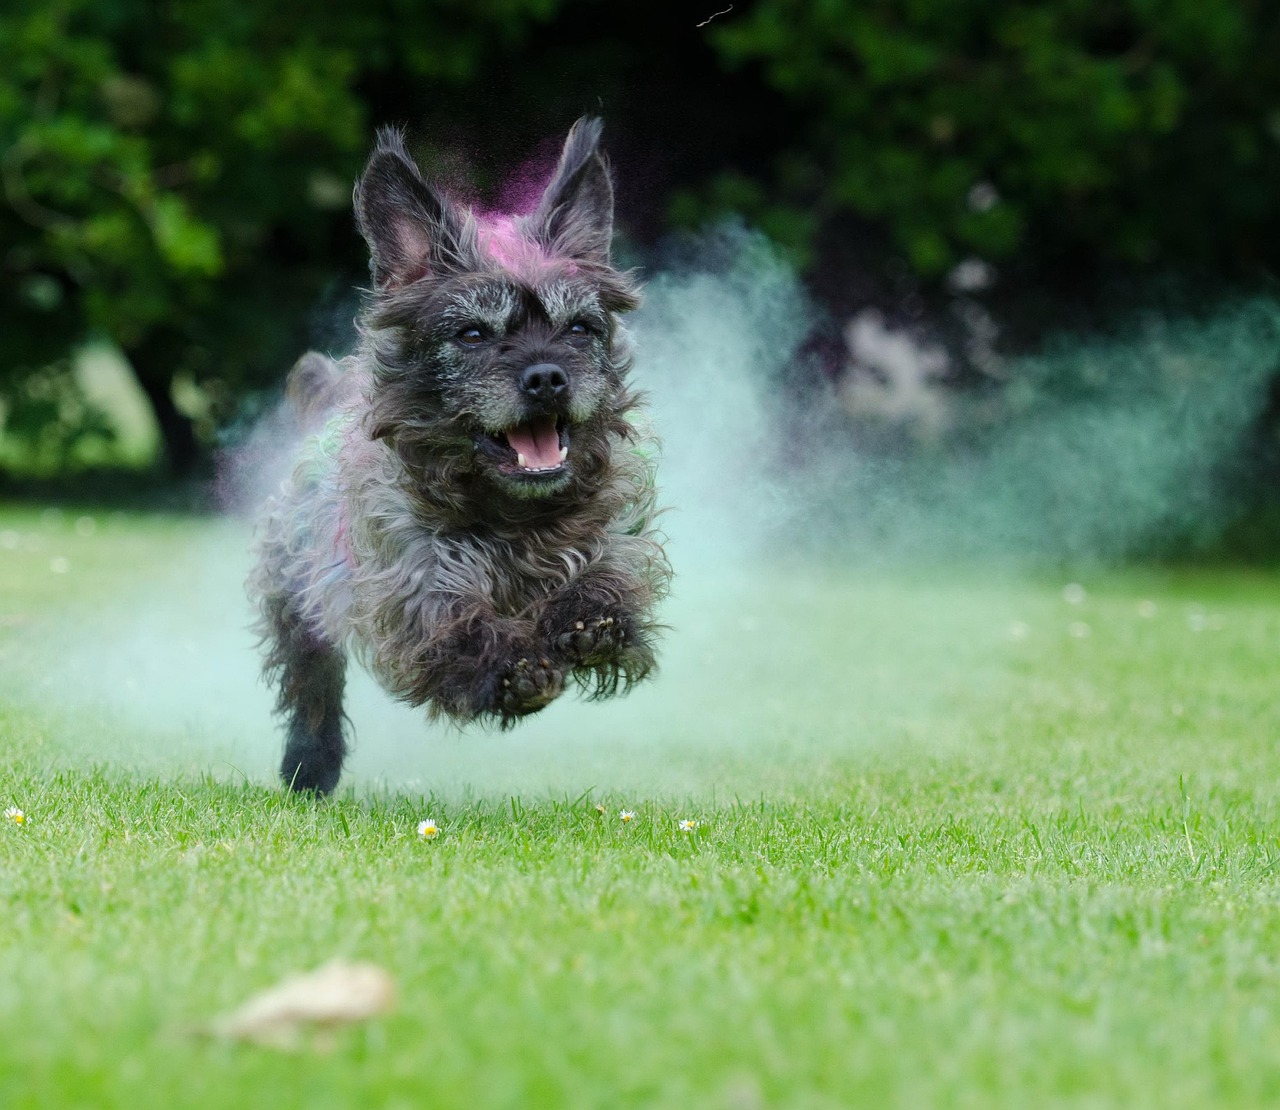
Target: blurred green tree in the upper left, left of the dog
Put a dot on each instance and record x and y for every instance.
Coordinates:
(176, 177)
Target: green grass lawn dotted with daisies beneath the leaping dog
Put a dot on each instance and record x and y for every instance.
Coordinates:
(963, 842)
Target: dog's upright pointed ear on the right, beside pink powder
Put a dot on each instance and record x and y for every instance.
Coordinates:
(575, 214)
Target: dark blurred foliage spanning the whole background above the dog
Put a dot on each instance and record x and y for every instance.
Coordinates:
(176, 177)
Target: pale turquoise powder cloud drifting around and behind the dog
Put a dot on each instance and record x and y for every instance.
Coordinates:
(829, 601)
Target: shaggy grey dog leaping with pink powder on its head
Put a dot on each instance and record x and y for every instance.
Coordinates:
(473, 518)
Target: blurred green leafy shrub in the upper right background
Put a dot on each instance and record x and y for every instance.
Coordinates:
(1136, 131)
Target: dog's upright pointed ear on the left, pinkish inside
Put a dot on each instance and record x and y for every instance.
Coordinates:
(412, 229)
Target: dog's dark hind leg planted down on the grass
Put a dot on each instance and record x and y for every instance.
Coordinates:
(312, 677)
